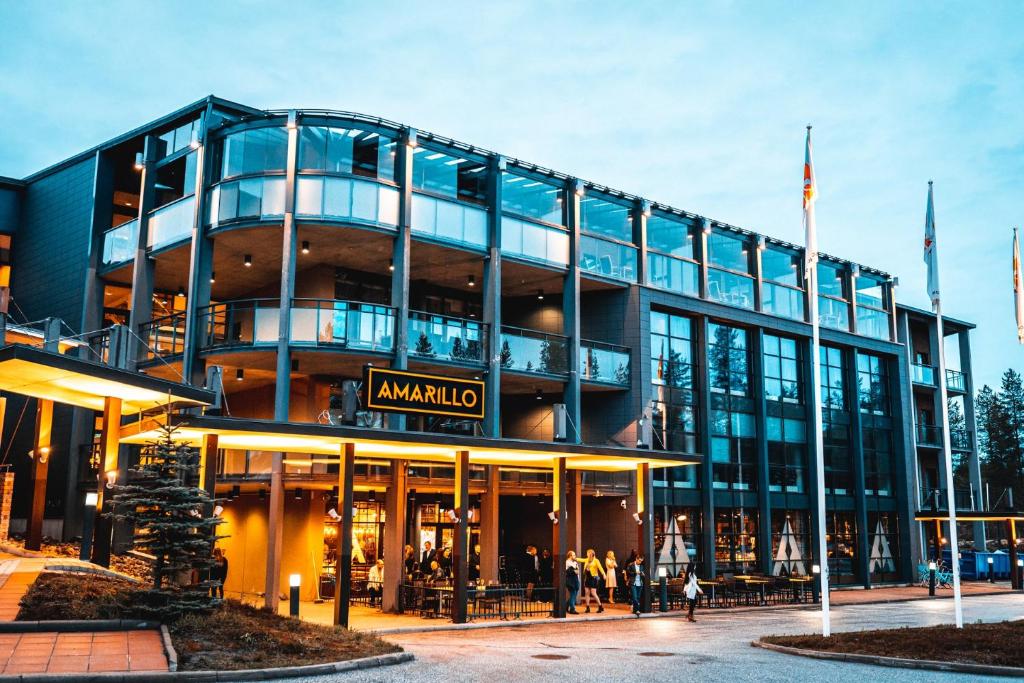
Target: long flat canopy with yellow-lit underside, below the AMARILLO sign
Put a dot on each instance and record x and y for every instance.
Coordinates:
(269, 436)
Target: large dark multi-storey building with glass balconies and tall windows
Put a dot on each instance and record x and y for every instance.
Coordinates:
(656, 329)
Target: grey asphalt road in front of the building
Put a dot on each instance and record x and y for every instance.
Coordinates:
(716, 649)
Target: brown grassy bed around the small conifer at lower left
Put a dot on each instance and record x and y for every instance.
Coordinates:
(233, 637)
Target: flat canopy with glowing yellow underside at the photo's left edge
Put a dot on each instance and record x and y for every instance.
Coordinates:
(66, 379)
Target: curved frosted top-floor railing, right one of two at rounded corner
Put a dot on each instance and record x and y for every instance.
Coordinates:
(344, 199)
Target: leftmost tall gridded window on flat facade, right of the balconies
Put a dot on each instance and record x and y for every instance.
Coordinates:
(672, 376)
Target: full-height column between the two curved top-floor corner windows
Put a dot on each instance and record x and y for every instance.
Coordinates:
(283, 385)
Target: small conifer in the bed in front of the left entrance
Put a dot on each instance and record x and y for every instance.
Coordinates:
(167, 515)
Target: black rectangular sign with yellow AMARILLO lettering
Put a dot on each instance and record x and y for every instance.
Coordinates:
(399, 392)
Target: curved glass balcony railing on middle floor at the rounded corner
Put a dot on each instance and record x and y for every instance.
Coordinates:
(316, 323)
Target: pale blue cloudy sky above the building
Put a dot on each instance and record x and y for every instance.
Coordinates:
(699, 106)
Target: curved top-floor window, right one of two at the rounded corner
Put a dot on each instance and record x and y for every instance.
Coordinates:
(347, 151)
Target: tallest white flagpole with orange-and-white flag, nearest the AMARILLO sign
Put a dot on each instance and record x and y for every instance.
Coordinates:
(812, 261)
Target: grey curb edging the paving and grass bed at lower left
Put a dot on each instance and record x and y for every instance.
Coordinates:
(241, 675)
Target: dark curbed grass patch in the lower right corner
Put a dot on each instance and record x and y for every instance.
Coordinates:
(997, 645)
